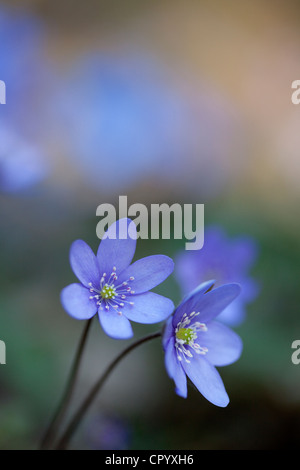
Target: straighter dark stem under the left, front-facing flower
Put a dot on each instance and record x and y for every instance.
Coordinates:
(65, 400)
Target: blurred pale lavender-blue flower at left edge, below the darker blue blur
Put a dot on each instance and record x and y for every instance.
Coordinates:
(21, 163)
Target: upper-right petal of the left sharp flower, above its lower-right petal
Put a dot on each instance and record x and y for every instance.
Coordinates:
(148, 272)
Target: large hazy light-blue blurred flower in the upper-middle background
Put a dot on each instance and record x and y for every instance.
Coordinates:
(124, 120)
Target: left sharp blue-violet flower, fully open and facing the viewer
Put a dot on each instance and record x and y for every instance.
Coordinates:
(112, 287)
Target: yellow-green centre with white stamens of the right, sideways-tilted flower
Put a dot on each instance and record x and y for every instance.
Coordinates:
(185, 337)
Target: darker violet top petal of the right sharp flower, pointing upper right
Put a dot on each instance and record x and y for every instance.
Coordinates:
(209, 304)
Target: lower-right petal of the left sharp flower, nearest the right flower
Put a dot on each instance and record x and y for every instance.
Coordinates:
(148, 308)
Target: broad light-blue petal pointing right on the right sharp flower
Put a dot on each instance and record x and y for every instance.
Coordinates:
(224, 345)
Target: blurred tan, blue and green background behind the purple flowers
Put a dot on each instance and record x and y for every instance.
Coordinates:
(163, 101)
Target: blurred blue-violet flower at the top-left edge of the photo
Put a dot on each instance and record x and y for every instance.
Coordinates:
(22, 67)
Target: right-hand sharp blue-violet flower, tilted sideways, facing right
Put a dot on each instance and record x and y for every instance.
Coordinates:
(194, 343)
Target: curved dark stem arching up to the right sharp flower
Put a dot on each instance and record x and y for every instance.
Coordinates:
(62, 444)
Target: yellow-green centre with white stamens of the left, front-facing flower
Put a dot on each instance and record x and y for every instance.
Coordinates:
(109, 295)
